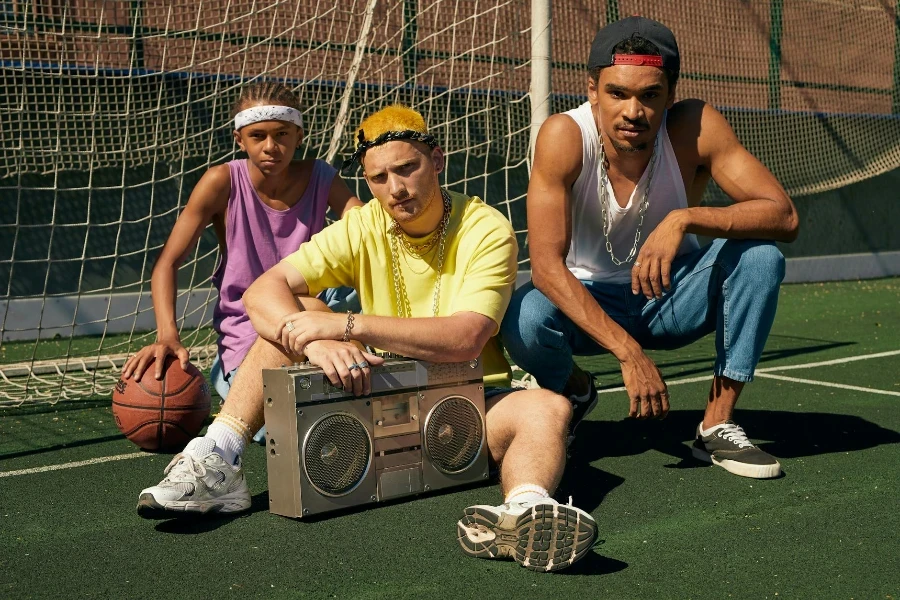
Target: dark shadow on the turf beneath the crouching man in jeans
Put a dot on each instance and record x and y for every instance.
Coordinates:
(784, 434)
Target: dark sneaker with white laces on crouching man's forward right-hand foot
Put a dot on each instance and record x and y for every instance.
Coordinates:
(727, 446)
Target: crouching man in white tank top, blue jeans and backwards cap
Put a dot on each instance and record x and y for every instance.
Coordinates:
(615, 263)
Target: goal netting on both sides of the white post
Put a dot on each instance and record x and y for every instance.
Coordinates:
(111, 111)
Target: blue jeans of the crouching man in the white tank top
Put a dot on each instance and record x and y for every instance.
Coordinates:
(729, 287)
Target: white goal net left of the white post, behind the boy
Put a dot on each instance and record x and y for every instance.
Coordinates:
(112, 110)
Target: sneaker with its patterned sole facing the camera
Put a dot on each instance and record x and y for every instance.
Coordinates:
(541, 536)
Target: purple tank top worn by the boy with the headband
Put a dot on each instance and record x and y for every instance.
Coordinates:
(257, 237)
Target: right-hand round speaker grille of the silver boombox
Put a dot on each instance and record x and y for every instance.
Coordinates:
(453, 434)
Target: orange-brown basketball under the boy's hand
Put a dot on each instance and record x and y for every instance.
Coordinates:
(162, 415)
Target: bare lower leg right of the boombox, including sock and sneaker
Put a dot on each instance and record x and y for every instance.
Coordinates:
(526, 434)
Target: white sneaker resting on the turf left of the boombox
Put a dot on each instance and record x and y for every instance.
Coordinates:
(197, 481)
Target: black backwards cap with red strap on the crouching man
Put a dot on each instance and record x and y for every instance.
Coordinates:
(659, 35)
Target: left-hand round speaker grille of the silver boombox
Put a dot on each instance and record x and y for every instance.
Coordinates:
(336, 454)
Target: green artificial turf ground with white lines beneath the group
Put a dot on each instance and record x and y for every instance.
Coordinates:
(669, 527)
